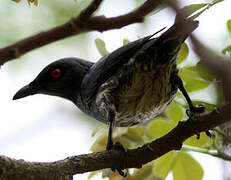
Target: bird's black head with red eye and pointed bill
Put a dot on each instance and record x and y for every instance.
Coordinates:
(61, 78)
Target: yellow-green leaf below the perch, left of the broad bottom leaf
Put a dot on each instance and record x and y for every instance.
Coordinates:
(164, 164)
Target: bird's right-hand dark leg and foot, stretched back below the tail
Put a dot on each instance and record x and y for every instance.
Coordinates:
(192, 108)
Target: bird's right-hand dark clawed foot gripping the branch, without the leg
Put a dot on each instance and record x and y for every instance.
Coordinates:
(193, 113)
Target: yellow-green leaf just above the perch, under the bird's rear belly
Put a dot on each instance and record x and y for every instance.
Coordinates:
(159, 127)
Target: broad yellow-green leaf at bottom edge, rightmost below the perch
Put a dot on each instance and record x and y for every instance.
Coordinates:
(187, 168)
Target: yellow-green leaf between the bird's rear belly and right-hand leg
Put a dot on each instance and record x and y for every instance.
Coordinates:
(175, 112)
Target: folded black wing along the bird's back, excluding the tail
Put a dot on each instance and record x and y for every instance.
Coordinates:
(107, 66)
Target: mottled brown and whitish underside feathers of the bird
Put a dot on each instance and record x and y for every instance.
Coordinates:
(137, 92)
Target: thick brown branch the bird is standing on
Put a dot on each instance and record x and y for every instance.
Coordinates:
(18, 169)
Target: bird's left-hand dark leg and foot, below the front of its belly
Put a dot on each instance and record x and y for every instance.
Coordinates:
(110, 145)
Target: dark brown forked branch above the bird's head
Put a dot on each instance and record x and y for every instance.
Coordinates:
(80, 24)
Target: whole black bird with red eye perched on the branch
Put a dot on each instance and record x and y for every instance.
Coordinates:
(131, 85)
